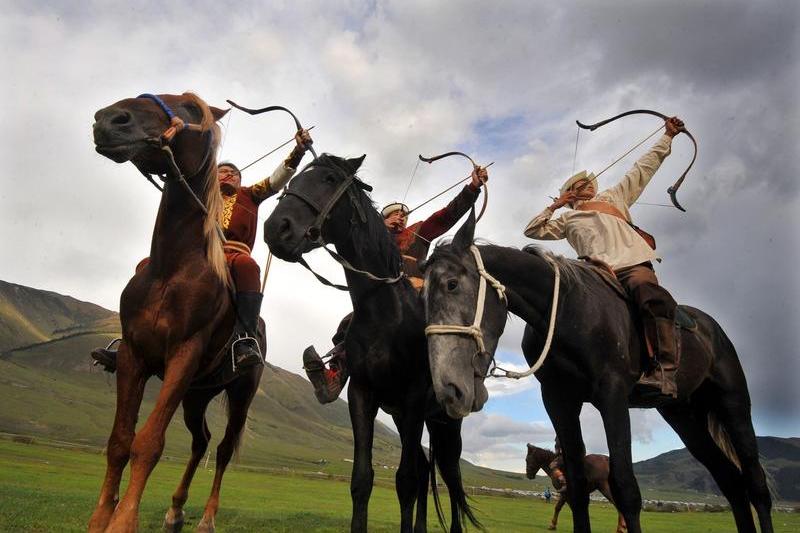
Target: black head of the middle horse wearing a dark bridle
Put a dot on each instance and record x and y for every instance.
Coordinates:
(310, 211)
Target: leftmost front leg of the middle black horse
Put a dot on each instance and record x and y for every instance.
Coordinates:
(363, 408)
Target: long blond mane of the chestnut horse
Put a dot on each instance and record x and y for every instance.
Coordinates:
(212, 196)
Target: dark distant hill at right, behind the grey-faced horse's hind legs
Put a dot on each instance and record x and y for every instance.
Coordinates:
(677, 470)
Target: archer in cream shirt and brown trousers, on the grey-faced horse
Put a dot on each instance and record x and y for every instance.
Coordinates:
(599, 228)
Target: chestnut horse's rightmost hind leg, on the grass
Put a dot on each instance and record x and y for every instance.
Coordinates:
(239, 398)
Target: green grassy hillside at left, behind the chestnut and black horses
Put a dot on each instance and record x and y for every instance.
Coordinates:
(49, 389)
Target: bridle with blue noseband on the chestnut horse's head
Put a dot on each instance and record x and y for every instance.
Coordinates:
(164, 141)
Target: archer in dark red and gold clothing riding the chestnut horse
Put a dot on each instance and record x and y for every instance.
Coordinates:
(239, 223)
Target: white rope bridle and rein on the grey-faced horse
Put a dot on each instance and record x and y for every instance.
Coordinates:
(479, 359)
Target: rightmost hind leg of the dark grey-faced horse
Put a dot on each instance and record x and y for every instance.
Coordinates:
(734, 413)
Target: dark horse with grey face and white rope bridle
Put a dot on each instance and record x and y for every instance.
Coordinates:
(596, 356)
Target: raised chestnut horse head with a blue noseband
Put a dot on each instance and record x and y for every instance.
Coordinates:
(136, 129)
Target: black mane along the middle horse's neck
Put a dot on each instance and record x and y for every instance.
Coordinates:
(371, 237)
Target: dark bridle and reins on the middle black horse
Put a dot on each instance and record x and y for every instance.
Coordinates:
(313, 233)
